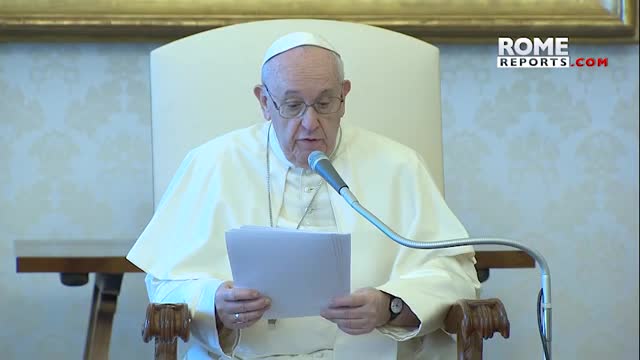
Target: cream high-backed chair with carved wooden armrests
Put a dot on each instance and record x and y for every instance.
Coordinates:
(201, 87)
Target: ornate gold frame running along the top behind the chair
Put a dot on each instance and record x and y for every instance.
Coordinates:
(439, 21)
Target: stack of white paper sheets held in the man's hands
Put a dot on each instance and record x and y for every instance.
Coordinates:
(301, 271)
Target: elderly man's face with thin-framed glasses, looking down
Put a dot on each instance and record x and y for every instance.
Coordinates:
(303, 75)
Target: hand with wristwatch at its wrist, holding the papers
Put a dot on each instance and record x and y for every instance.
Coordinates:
(360, 312)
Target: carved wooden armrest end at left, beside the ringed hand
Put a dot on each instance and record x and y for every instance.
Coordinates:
(165, 323)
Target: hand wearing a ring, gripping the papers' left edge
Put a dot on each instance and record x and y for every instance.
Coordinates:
(239, 308)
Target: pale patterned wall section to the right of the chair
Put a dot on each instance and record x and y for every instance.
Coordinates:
(551, 158)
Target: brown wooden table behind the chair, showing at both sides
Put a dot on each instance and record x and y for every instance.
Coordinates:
(75, 260)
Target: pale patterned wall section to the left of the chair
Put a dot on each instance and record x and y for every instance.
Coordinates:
(75, 163)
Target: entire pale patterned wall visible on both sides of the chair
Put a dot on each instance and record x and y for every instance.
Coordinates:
(547, 157)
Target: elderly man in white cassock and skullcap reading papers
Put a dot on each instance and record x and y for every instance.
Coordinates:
(259, 176)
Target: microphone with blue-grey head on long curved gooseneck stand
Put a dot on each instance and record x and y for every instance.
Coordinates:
(319, 162)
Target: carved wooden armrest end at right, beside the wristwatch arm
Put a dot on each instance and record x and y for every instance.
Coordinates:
(473, 321)
